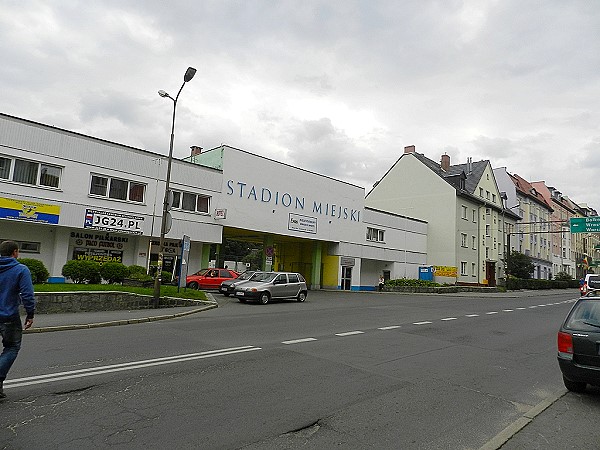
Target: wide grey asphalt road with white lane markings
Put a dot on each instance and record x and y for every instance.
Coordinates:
(345, 370)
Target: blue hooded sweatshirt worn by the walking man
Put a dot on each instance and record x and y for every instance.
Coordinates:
(15, 287)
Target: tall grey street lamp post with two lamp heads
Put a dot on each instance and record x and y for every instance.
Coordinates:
(189, 74)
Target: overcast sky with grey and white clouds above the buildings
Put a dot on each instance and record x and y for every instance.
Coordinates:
(338, 87)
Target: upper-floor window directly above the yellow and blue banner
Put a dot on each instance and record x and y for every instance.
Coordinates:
(29, 172)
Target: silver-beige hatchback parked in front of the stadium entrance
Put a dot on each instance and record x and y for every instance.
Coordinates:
(268, 286)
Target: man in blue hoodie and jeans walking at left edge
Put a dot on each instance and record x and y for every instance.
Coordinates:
(16, 287)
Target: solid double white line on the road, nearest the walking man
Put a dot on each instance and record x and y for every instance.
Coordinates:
(81, 373)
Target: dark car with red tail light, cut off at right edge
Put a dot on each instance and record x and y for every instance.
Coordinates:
(579, 345)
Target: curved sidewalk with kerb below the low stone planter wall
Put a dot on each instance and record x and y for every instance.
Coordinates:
(44, 323)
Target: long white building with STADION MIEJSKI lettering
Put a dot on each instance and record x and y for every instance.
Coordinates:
(67, 196)
